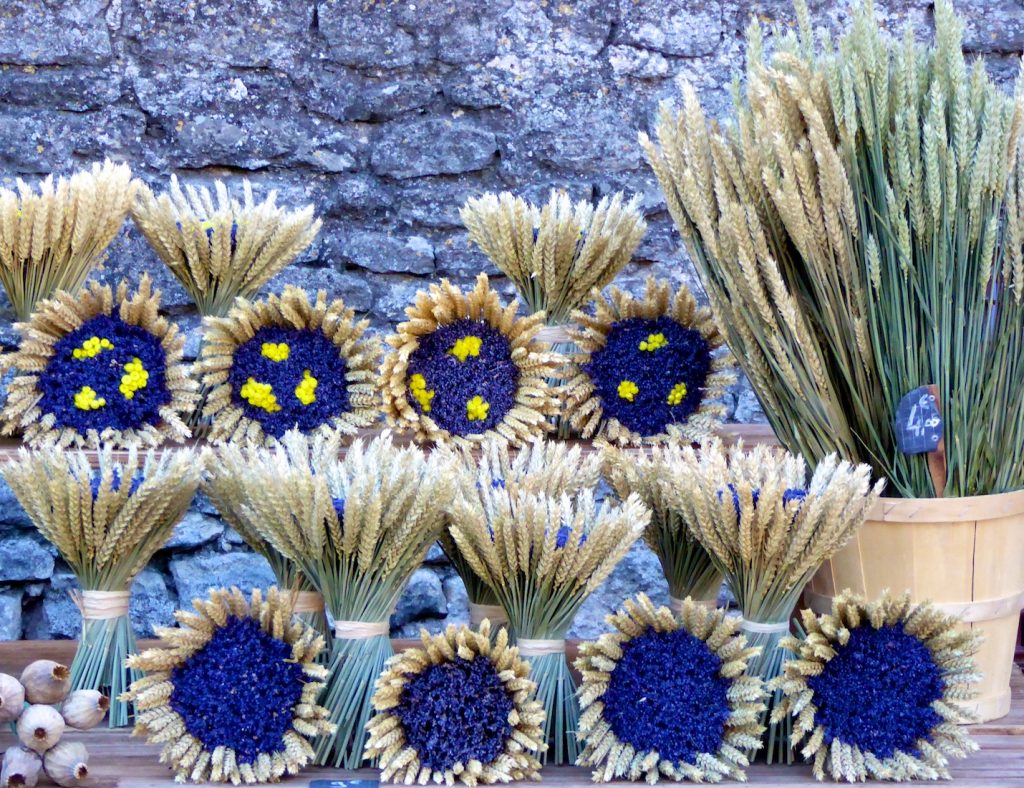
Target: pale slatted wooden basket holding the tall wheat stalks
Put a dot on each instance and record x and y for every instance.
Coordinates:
(966, 555)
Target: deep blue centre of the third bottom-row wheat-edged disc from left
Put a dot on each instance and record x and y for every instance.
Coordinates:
(666, 695)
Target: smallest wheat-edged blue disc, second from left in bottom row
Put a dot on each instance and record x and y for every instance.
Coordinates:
(458, 710)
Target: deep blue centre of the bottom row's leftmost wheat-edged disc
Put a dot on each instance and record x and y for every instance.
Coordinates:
(239, 691)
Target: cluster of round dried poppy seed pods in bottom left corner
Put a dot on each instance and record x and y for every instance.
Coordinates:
(29, 706)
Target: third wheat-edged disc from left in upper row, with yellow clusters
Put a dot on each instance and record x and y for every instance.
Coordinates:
(464, 369)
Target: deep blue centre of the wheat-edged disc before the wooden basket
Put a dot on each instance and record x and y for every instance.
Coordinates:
(877, 692)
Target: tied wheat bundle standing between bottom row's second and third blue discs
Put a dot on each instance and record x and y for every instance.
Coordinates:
(542, 555)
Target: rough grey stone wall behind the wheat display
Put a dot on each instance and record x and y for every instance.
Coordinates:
(387, 116)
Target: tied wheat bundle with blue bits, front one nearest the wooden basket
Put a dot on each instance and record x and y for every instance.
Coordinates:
(767, 530)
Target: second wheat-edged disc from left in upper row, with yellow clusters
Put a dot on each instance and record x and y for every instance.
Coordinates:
(288, 363)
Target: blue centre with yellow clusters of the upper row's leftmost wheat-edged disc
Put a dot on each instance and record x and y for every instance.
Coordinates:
(105, 375)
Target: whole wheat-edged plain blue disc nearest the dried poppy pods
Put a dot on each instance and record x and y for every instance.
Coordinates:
(233, 694)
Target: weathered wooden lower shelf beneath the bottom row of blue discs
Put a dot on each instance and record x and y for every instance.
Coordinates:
(118, 760)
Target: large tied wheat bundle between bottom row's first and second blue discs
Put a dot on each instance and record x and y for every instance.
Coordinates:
(358, 529)
